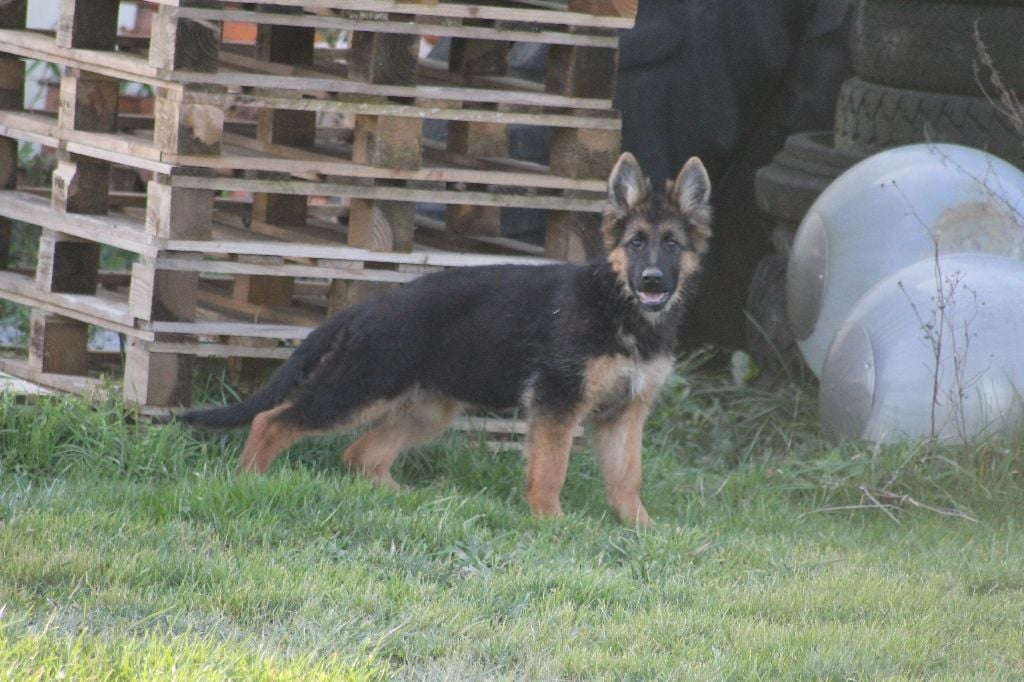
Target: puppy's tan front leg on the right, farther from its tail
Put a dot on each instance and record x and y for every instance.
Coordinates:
(619, 453)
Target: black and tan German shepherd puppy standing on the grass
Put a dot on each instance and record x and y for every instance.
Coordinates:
(564, 343)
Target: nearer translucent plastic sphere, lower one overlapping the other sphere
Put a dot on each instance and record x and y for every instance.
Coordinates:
(933, 350)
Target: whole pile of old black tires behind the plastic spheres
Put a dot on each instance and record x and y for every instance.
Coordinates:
(940, 71)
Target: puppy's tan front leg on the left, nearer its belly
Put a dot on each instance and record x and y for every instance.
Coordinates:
(549, 442)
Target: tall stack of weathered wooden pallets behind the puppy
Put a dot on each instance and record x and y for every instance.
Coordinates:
(283, 180)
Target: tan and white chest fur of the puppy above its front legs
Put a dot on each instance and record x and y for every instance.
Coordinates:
(613, 382)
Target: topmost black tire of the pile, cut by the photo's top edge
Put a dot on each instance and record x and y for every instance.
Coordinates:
(924, 46)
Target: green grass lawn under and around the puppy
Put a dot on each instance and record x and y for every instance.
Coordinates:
(134, 552)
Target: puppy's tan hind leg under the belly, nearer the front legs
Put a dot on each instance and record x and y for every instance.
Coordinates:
(408, 424)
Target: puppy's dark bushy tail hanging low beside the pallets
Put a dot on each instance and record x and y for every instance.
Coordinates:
(278, 389)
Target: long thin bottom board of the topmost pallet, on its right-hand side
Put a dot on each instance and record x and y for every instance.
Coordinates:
(414, 26)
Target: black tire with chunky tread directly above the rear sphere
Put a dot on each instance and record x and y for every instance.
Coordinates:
(872, 117)
